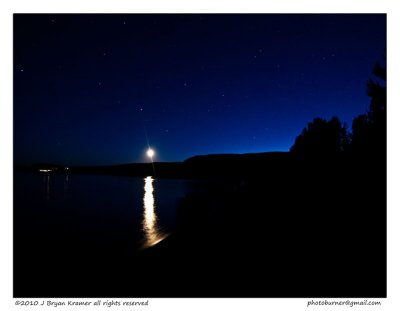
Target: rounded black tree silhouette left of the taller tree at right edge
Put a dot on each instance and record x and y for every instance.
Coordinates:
(321, 138)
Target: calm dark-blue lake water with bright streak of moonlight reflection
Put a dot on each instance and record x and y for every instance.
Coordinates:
(92, 210)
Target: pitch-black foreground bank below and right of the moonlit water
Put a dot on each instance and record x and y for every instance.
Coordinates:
(303, 229)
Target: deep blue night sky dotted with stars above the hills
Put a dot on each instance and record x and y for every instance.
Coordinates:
(95, 89)
